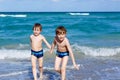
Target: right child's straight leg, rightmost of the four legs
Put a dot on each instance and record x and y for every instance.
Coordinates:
(63, 68)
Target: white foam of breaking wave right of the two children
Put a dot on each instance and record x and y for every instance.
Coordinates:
(97, 51)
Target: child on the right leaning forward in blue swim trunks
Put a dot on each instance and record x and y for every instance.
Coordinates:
(63, 51)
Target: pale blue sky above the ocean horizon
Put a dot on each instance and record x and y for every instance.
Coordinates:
(59, 5)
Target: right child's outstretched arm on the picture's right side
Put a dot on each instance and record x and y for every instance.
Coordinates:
(71, 54)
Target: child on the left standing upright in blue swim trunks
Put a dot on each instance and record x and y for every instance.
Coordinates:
(36, 40)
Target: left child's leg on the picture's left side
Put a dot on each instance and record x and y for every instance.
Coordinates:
(33, 61)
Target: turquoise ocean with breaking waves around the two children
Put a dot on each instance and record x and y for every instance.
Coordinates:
(94, 38)
